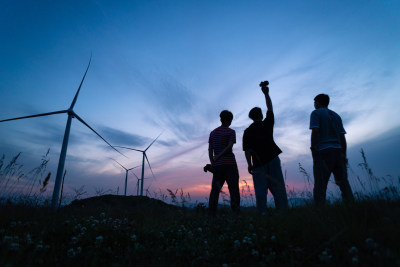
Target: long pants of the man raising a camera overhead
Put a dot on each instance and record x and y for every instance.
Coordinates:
(269, 176)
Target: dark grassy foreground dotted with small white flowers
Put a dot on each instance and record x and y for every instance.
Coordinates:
(114, 230)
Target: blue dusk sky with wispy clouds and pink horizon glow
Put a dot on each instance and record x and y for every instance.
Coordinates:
(171, 67)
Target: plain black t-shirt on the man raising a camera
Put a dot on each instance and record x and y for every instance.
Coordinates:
(258, 137)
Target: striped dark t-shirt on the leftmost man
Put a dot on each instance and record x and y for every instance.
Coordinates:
(219, 139)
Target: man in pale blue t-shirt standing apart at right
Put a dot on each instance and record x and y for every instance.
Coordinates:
(328, 148)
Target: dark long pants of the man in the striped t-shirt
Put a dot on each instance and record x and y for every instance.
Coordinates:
(230, 174)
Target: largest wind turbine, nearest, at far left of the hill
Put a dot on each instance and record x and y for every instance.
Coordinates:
(71, 115)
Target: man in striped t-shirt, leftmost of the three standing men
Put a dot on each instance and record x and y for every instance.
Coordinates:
(223, 163)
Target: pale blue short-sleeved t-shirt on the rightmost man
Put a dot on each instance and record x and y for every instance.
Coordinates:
(330, 127)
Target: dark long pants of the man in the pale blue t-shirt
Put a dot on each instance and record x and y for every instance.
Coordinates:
(326, 162)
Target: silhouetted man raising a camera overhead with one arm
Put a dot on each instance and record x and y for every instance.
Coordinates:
(262, 156)
